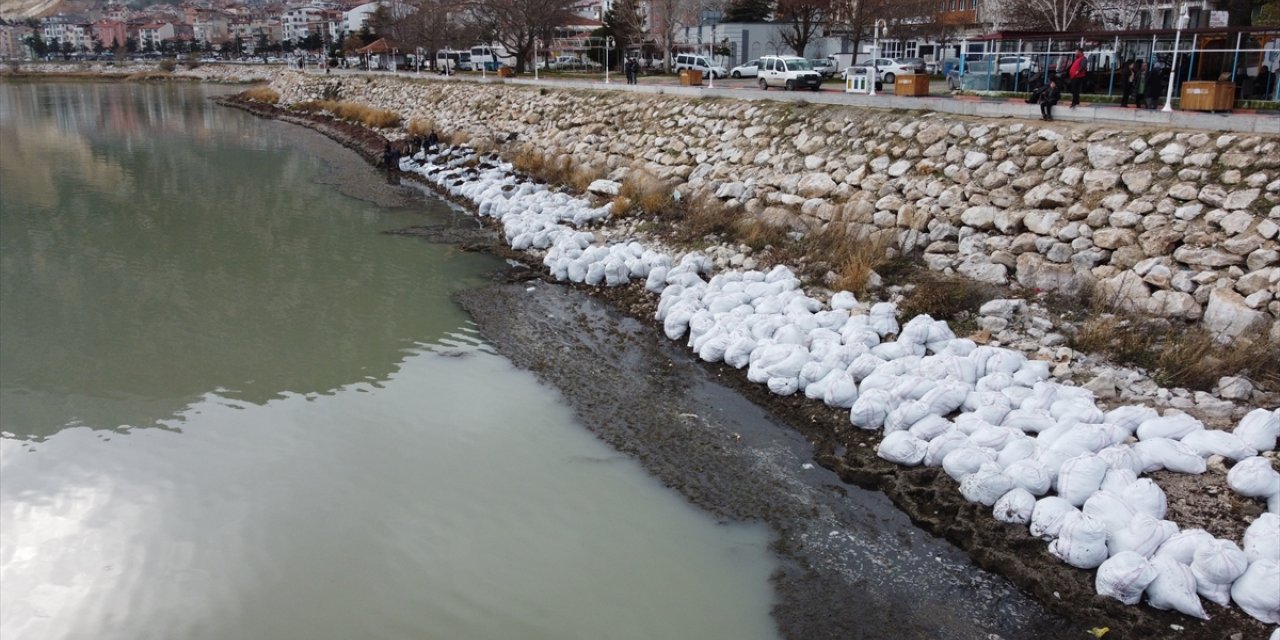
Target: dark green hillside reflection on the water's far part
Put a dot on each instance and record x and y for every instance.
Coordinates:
(140, 272)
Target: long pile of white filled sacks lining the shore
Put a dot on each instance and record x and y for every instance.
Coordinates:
(1040, 454)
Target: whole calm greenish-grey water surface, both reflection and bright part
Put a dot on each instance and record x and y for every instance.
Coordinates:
(231, 409)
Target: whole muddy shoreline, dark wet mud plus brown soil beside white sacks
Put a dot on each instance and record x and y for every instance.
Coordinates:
(708, 461)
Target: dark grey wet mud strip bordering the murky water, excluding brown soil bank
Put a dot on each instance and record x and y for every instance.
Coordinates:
(853, 565)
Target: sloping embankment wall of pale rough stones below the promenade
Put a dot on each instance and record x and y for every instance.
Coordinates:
(1182, 225)
